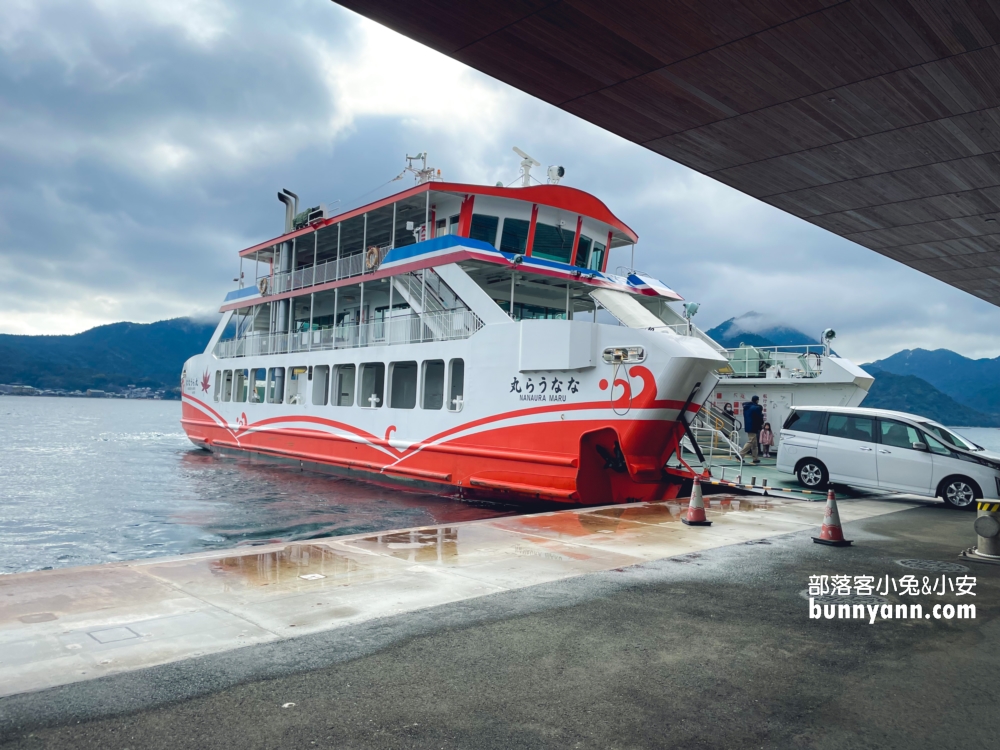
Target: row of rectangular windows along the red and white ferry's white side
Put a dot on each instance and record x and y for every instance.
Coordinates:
(348, 385)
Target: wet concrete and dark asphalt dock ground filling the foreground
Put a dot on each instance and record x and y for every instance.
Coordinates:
(605, 627)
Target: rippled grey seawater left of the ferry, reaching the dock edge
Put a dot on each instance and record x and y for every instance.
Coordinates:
(85, 481)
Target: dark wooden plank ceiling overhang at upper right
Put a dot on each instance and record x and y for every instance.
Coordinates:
(878, 120)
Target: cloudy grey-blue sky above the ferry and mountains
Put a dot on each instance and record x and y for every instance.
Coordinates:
(142, 143)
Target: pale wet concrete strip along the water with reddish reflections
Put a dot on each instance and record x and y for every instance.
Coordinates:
(76, 624)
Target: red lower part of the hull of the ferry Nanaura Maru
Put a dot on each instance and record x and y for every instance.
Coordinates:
(548, 461)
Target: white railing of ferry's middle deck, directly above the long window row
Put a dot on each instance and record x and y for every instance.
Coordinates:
(402, 329)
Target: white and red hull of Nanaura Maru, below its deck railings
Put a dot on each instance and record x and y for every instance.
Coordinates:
(604, 439)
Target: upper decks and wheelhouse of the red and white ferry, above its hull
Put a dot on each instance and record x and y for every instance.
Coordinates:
(435, 262)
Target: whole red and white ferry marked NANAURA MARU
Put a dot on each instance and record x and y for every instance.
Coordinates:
(446, 338)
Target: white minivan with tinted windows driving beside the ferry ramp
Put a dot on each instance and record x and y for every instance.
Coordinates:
(887, 450)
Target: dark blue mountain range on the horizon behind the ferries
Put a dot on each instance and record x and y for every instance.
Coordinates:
(941, 384)
